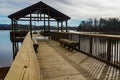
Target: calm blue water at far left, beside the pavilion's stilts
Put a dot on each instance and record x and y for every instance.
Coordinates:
(5, 49)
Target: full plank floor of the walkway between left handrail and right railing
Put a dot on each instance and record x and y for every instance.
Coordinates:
(58, 63)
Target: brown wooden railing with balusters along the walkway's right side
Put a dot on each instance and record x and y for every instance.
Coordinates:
(100, 46)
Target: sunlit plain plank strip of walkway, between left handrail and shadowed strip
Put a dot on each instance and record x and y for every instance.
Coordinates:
(54, 66)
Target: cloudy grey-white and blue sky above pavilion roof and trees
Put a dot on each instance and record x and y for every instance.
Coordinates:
(76, 9)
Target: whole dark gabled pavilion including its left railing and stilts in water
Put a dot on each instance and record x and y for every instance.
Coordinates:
(39, 12)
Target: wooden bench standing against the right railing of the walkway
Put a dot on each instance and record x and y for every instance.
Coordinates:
(71, 44)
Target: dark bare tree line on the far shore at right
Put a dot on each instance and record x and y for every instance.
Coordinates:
(100, 25)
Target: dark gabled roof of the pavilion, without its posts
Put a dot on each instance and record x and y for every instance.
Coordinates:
(40, 7)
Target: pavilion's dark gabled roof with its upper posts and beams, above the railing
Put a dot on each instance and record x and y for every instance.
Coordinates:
(39, 12)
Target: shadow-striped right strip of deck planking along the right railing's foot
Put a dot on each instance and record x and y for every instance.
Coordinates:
(89, 67)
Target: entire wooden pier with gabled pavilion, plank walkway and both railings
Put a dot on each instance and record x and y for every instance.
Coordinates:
(95, 58)
